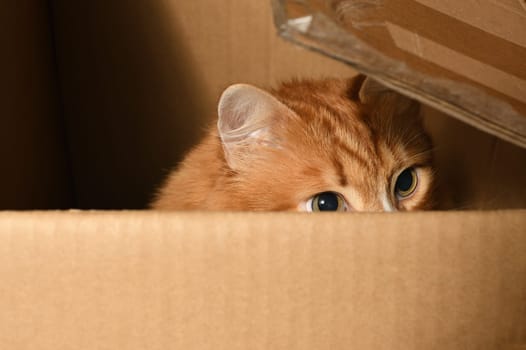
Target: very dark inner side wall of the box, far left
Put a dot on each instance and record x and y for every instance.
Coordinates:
(34, 167)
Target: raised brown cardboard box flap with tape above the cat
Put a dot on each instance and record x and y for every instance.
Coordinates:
(461, 57)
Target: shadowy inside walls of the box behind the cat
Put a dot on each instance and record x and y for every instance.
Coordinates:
(103, 99)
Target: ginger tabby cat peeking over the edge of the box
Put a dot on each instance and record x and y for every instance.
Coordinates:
(329, 145)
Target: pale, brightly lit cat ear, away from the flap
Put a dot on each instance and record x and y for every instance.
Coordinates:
(246, 114)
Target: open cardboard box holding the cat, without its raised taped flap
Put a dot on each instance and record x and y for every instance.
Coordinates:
(103, 97)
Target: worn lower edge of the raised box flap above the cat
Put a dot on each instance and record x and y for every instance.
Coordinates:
(463, 101)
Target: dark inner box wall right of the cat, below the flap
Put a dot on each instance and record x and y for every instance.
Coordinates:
(476, 170)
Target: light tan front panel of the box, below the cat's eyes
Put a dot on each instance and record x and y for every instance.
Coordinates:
(149, 280)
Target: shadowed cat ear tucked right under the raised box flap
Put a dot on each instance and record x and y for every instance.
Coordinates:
(373, 92)
